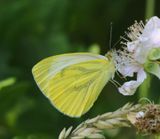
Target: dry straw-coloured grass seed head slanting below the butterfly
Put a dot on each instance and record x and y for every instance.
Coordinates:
(93, 128)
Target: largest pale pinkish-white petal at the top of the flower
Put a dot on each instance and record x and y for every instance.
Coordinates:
(149, 39)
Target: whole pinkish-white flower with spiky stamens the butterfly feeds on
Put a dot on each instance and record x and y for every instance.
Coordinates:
(140, 54)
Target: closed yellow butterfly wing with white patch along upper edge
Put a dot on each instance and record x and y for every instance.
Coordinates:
(72, 82)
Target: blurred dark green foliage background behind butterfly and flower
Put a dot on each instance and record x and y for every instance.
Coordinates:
(31, 30)
